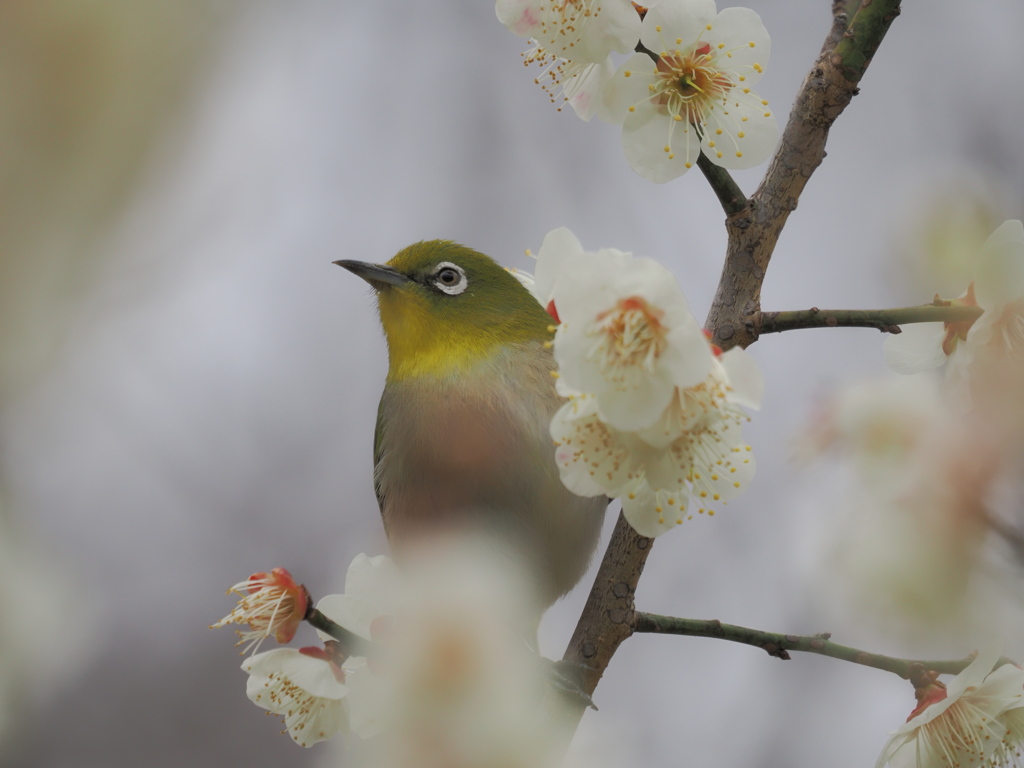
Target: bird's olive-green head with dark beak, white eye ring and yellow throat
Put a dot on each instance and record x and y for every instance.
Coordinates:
(445, 308)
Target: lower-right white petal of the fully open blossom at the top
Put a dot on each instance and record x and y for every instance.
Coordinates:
(749, 132)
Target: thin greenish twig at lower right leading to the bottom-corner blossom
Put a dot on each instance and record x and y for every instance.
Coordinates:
(779, 646)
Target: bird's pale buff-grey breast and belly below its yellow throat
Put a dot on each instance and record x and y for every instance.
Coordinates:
(474, 453)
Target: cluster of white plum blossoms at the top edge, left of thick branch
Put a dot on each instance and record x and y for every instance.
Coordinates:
(690, 92)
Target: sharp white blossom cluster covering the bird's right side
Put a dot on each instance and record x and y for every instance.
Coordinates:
(654, 411)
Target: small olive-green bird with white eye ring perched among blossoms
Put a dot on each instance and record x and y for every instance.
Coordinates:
(462, 442)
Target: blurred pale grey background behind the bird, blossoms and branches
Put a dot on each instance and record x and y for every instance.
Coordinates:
(190, 386)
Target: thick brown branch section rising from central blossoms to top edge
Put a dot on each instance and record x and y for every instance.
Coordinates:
(828, 90)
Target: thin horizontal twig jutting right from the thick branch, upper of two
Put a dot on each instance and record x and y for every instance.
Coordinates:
(884, 320)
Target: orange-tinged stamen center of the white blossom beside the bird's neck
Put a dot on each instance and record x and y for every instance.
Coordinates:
(627, 337)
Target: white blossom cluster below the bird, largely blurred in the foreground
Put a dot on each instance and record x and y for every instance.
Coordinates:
(439, 666)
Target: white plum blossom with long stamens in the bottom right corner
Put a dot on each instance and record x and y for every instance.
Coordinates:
(974, 721)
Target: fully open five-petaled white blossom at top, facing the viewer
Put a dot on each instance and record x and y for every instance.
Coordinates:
(698, 96)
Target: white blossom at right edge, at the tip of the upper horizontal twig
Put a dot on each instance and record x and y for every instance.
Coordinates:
(998, 289)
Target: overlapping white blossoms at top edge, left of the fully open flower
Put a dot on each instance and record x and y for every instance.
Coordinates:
(572, 42)
